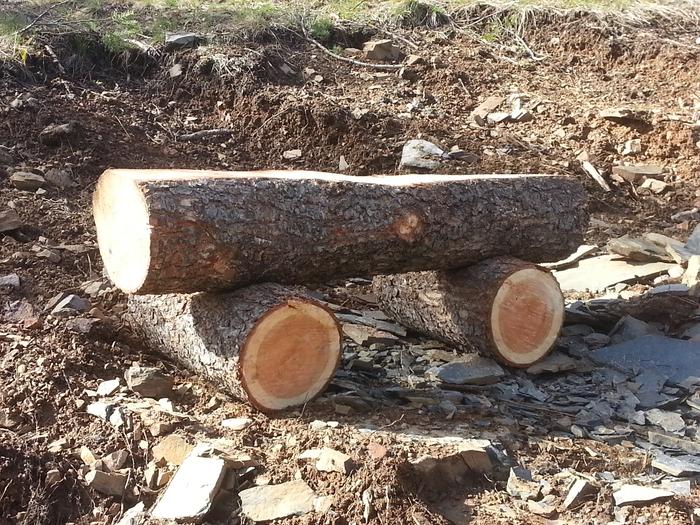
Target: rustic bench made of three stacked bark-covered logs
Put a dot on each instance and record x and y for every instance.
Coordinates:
(182, 240)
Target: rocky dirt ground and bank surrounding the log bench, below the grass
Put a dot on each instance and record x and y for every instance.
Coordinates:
(410, 430)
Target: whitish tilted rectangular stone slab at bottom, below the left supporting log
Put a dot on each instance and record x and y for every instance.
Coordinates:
(192, 490)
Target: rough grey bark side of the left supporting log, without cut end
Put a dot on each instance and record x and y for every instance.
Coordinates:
(207, 332)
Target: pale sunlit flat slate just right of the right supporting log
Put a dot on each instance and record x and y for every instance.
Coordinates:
(598, 273)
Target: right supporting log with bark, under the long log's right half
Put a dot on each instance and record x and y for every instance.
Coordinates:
(505, 308)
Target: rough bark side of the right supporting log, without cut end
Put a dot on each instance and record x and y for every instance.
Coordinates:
(451, 306)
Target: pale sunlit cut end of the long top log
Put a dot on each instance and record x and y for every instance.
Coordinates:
(123, 230)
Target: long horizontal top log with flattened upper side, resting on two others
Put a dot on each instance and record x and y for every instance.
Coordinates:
(162, 231)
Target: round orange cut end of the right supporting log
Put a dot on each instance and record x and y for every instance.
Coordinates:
(526, 316)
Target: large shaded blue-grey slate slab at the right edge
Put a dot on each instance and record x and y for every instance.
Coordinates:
(674, 358)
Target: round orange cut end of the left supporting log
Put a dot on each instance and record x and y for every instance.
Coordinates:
(290, 356)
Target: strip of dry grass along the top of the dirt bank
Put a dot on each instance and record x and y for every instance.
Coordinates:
(121, 23)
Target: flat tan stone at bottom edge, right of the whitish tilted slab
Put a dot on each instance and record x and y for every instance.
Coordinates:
(271, 502)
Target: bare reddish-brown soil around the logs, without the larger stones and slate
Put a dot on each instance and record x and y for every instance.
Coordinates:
(278, 94)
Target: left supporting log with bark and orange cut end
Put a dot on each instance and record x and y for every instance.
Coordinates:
(271, 345)
